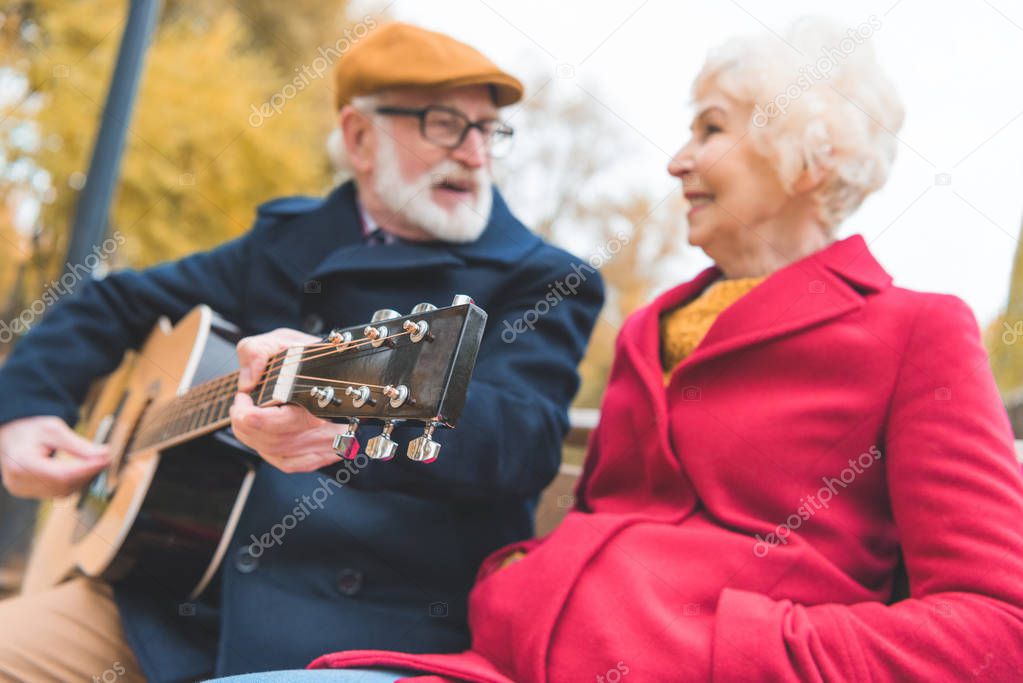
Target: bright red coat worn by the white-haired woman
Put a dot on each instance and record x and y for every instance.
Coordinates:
(745, 524)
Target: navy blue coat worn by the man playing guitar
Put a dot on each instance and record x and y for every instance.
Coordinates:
(389, 561)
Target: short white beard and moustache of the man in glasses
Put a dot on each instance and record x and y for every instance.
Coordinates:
(413, 201)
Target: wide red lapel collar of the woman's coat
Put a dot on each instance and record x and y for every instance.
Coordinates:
(822, 287)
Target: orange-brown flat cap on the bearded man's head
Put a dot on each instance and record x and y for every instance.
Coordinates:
(402, 56)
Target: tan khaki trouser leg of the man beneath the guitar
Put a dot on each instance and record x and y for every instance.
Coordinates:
(69, 633)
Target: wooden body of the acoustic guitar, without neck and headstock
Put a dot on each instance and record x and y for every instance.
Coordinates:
(166, 515)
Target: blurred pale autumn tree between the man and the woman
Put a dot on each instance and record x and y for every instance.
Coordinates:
(566, 179)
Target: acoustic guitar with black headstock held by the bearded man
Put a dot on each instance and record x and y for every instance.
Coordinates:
(168, 505)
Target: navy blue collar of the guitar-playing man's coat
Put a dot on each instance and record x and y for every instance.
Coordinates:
(328, 241)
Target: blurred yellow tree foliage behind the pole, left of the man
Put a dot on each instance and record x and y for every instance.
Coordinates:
(195, 166)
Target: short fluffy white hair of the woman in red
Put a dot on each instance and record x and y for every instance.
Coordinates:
(821, 102)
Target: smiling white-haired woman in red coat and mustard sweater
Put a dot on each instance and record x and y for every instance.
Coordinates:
(782, 438)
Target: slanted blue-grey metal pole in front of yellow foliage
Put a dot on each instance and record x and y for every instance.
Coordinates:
(93, 212)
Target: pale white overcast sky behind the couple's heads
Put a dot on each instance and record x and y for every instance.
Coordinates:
(957, 66)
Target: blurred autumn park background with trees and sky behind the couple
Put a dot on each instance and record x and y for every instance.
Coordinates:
(607, 106)
